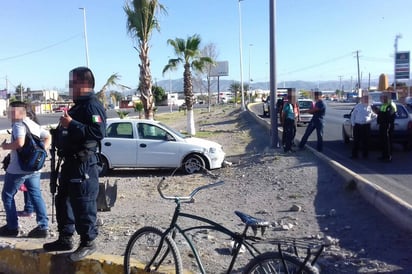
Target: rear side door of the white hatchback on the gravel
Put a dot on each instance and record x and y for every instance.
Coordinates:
(120, 145)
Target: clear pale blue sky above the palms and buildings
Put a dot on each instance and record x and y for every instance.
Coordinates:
(316, 40)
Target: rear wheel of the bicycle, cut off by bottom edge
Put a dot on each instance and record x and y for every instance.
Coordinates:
(271, 262)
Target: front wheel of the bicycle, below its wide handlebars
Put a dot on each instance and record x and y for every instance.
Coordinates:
(141, 252)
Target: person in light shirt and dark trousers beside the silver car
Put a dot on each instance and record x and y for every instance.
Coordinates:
(361, 118)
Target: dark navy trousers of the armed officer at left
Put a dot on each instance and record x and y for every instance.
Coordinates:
(76, 199)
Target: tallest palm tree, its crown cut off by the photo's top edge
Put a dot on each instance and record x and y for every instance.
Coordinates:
(141, 20)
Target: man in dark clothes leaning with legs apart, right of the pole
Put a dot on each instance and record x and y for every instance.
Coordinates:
(318, 112)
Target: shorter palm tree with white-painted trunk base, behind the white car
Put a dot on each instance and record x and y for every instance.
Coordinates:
(188, 53)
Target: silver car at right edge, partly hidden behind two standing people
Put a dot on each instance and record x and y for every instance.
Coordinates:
(402, 133)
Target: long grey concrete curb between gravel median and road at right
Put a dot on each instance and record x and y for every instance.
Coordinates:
(390, 205)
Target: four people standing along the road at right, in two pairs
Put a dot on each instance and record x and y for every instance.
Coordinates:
(361, 118)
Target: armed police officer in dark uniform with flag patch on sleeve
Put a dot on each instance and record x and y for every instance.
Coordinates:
(77, 139)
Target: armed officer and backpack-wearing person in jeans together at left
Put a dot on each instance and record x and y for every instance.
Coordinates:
(77, 140)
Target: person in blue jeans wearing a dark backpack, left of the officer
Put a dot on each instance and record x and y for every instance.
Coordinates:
(15, 176)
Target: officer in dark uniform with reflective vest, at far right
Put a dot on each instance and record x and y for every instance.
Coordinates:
(386, 121)
